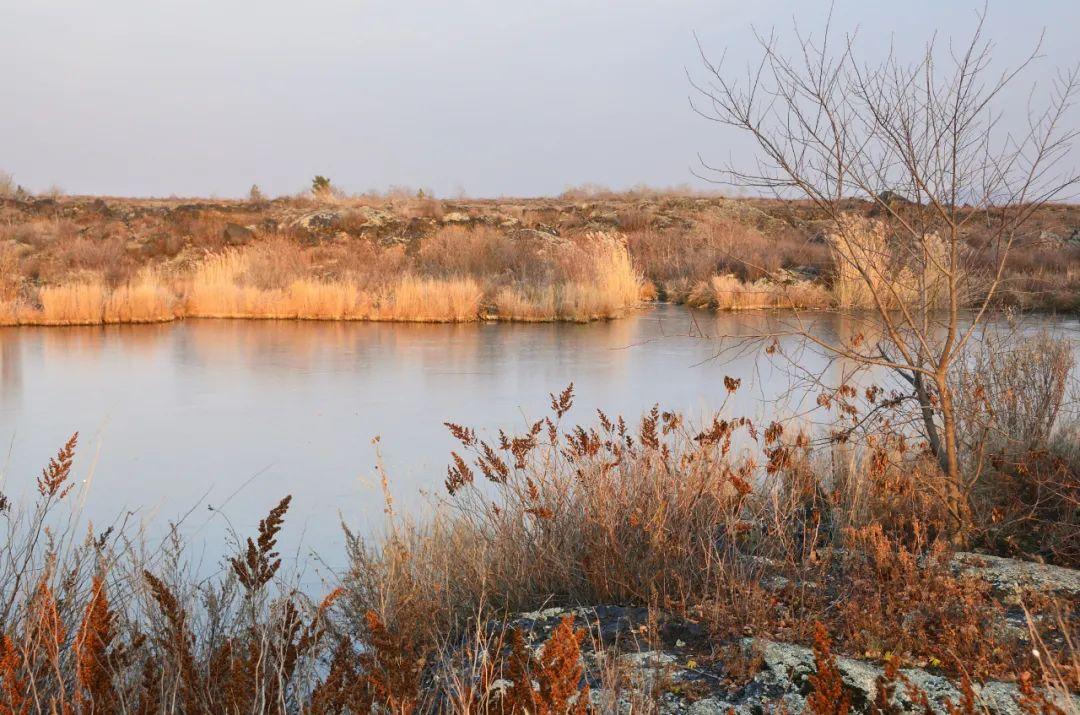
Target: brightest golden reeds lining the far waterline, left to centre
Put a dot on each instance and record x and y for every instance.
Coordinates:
(606, 287)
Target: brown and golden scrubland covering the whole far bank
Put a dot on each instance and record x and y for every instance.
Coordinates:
(78, 261)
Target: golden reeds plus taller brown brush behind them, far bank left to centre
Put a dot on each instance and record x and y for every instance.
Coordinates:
(454, 279)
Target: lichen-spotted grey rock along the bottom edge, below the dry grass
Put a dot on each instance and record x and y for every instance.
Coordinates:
(666, 673)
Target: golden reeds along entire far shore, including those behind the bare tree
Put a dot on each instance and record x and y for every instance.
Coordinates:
(461, 276)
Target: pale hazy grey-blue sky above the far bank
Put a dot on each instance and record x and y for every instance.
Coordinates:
(479, 98)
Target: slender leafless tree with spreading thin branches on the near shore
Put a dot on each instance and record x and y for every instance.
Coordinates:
(926, 145)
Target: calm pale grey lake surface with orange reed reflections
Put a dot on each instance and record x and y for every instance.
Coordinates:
(179, 417)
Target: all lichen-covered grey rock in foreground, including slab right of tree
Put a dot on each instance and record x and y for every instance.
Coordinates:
(673, 662)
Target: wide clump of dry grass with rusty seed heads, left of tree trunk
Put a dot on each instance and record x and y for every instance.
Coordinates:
(618, 515)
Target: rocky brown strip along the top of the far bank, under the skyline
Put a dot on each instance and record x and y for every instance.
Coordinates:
(1057, 226)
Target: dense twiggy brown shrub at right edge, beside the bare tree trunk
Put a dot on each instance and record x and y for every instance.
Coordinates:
(1012, 397)
